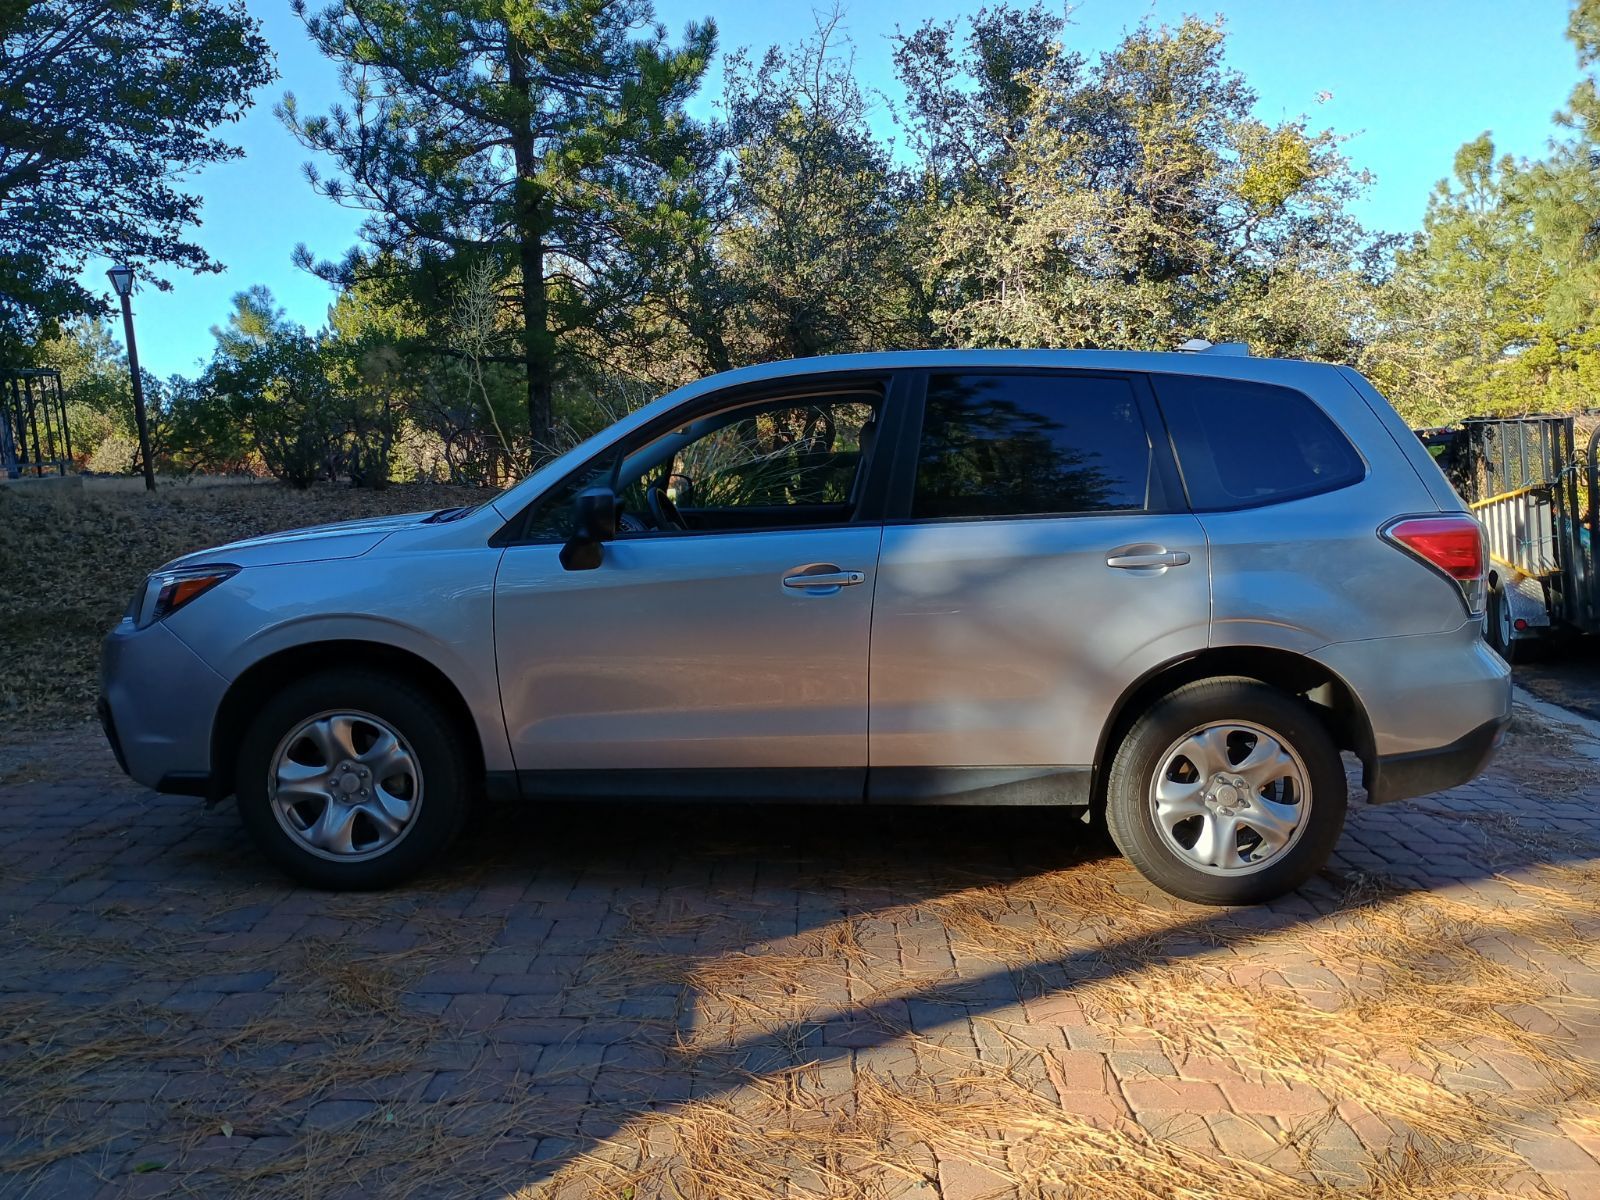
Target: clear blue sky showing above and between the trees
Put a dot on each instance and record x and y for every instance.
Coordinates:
(1412, 81)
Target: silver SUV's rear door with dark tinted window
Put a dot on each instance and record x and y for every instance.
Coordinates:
(1039, 561)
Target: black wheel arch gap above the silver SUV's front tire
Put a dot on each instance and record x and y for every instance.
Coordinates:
(276, 671)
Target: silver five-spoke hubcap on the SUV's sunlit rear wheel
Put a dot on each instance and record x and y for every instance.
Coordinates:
(1231, 798)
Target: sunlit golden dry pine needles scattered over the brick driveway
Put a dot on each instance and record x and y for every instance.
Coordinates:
(1422, 991)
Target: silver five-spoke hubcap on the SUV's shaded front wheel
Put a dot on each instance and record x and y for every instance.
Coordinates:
(345, 786)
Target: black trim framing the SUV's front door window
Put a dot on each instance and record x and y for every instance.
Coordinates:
(889, 382)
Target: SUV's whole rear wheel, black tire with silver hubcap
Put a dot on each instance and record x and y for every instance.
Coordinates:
(1209, 804)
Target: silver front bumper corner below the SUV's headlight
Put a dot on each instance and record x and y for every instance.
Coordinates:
(158, 705)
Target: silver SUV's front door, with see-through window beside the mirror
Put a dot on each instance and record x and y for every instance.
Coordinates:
(727, 660)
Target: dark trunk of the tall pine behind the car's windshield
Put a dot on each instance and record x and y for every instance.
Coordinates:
(530, 218)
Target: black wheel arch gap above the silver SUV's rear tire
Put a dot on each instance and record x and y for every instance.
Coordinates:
(1337, 703)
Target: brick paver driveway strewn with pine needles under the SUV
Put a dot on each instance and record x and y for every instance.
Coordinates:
(772, 1002)
